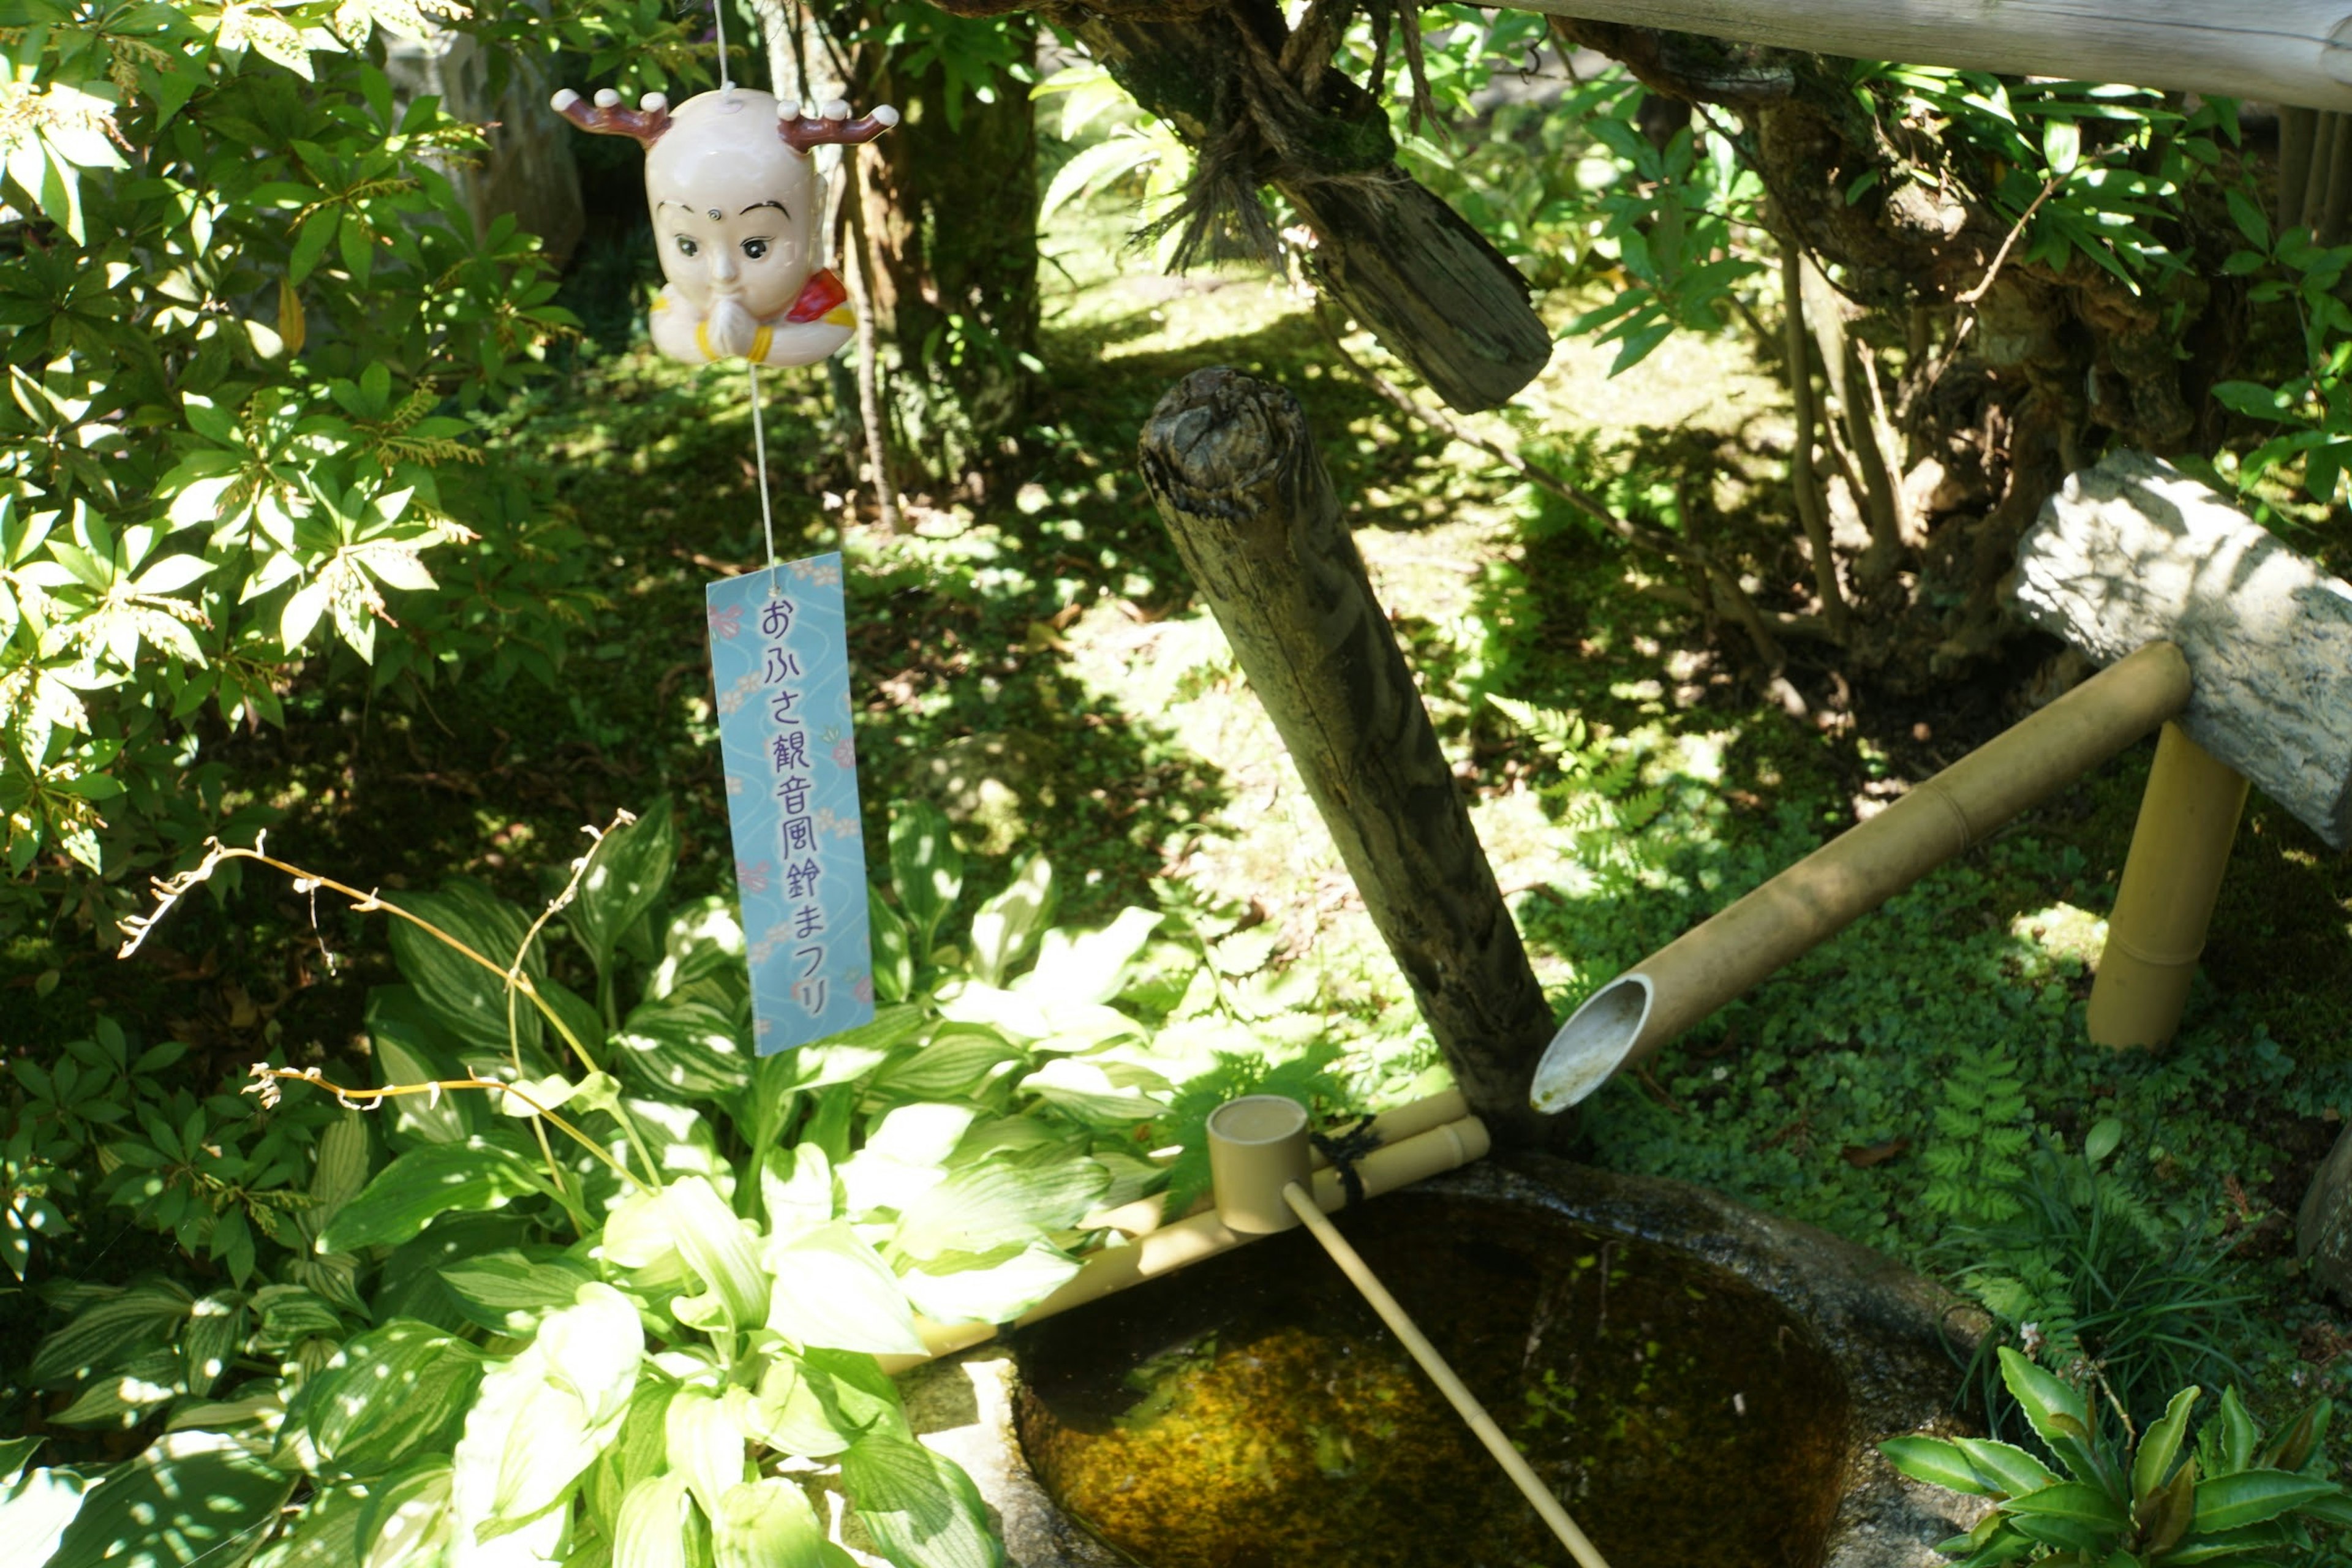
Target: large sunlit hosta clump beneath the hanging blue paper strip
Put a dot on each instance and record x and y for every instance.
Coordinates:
(580, 1280)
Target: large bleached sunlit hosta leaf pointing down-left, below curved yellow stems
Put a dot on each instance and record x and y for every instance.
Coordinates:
(544, 1416)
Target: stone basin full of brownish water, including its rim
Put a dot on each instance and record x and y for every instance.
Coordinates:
(1699, 1383)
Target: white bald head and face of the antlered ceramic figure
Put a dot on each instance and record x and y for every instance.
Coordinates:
(735, 208)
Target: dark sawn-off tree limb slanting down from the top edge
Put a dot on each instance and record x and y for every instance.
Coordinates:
(1405, 264)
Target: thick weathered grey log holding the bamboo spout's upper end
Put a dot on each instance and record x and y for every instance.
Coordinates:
(2134, 551)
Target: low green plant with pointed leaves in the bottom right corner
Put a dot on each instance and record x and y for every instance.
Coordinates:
(2151, 1503)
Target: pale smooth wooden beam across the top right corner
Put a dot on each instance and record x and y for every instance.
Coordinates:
(2276, 51)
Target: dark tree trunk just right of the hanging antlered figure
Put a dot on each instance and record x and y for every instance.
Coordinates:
(951, 225)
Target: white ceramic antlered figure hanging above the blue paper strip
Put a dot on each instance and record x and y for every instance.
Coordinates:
(735, 215)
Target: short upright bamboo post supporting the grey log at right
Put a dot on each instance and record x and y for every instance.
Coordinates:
(2165, 902)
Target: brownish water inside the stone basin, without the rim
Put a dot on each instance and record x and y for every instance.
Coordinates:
(1255, 1414)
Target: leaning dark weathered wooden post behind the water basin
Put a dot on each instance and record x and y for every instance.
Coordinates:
(1245, 495)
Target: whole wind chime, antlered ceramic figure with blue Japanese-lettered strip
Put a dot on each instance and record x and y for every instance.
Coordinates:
(737, 208)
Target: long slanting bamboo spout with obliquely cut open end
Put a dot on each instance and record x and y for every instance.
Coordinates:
(1855, 873)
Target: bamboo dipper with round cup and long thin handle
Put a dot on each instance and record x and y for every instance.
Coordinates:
(1259, 1167)
